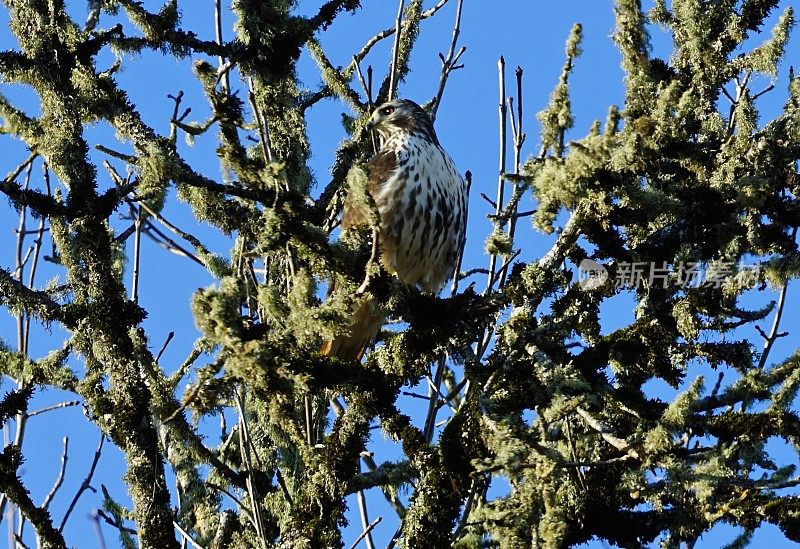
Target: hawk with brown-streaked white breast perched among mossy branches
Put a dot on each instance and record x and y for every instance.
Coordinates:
(422, 204)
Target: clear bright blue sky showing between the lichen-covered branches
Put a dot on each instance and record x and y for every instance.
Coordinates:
(530, 34)
